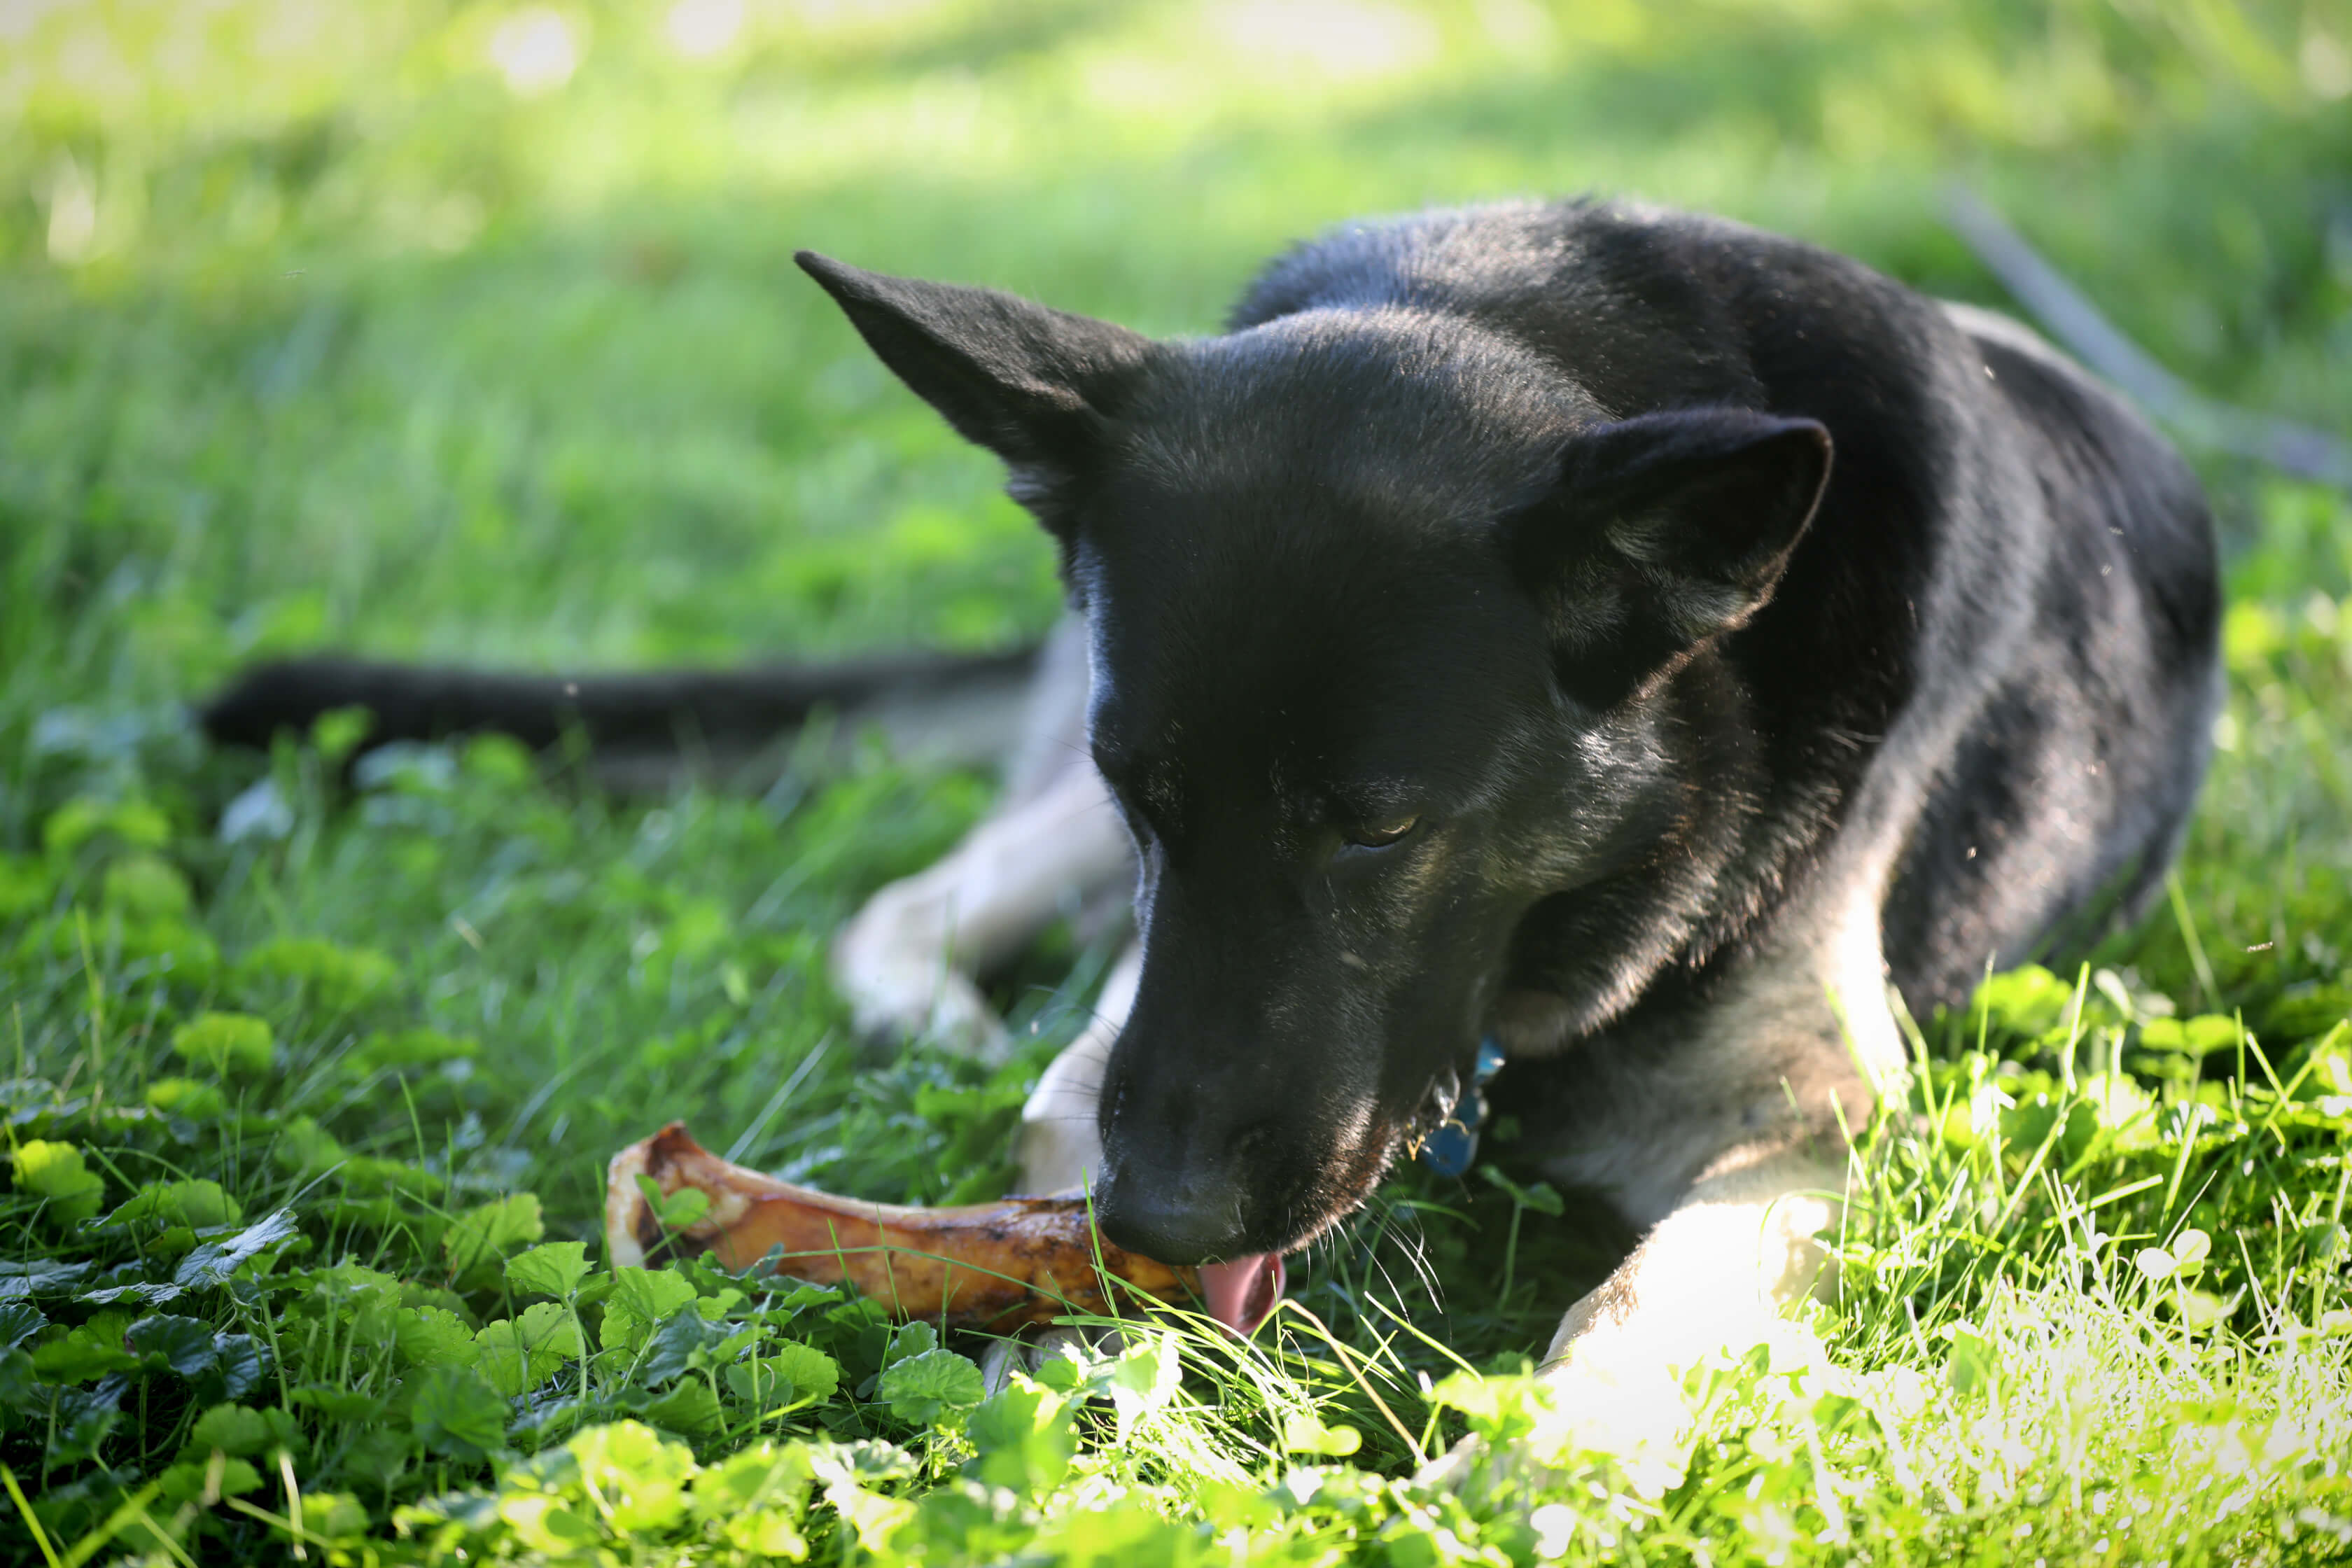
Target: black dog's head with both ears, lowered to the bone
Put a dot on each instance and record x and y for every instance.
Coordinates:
(1382, 608)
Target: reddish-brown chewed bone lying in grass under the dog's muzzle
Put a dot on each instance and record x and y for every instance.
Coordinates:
(982, 1266)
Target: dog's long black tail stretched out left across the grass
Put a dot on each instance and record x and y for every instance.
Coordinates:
(947, 706)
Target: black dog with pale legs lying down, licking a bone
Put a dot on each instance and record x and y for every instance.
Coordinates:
(1598, 641)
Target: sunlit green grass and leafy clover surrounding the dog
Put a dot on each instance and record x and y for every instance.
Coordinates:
(328, 335)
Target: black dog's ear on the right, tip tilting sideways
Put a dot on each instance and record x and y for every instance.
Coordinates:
(1664, 532)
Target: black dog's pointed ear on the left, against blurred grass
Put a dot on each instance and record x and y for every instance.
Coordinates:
(1036, 387)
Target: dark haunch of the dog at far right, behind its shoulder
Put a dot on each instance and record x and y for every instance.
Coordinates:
(2099, 732)
